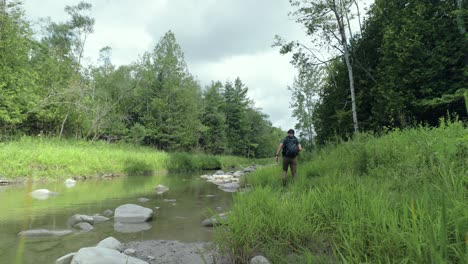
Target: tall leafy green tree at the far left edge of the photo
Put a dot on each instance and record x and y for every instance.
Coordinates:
(17, 80)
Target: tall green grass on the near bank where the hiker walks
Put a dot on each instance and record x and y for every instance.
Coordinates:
(399, 198)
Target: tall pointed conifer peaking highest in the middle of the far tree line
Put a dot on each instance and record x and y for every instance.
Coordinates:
(169, 97)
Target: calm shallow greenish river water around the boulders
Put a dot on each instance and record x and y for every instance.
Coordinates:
(178, 213)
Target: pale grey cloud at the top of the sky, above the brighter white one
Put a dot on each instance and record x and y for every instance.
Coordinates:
(223, 28)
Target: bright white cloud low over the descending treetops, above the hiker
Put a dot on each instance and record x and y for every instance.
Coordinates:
(266, 74)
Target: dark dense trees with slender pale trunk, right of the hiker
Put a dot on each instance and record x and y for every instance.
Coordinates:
(409, 65)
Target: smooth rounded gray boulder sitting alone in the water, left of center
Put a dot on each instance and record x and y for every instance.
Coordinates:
(132, 213)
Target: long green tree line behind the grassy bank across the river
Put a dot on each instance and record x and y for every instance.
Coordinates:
(46, 89)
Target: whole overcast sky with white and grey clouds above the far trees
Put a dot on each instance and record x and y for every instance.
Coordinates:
(221, 39)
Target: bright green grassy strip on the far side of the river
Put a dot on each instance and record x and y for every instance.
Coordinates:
(57, 158)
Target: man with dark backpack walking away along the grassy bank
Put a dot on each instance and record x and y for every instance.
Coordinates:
(290, 147)
